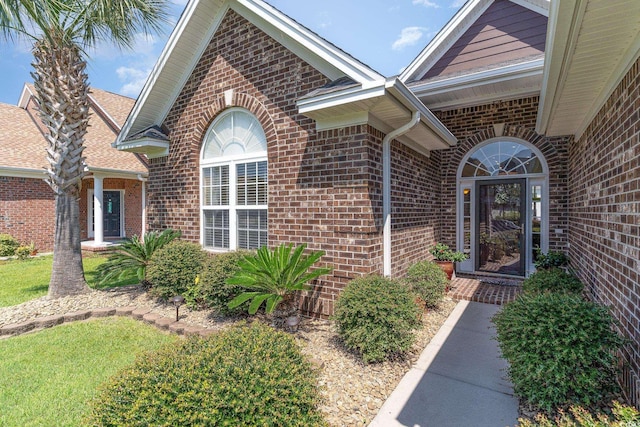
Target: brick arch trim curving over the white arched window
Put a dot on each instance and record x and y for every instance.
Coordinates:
(242, 100)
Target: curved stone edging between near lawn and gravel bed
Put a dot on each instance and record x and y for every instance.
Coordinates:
(142, 314)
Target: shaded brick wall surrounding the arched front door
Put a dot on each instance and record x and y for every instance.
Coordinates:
(474, 125)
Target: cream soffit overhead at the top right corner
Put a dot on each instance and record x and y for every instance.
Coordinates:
(591, 44)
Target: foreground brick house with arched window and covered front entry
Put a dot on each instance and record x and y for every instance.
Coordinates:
(515, 130)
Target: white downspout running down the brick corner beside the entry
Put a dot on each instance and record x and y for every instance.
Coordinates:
(386, 189)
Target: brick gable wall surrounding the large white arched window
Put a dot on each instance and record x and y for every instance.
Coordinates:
(324, 188)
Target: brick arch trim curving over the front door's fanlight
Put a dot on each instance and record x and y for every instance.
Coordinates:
(526, 134)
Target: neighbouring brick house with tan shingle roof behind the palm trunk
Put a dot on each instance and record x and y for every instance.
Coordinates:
(112, 196)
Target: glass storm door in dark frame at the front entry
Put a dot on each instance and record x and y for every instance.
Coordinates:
(500, 227)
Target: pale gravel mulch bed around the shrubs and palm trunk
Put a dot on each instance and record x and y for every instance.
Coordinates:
(352, 391)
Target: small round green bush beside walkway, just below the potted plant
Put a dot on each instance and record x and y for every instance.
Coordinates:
(428, 281)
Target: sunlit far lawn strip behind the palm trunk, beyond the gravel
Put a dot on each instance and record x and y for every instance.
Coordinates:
(22, 281)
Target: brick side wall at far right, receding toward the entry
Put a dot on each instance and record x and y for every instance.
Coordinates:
(604, 214)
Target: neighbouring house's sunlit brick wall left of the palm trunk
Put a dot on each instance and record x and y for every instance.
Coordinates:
(27, 211)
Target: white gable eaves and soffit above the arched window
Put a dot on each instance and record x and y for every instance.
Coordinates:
(192, 35)
